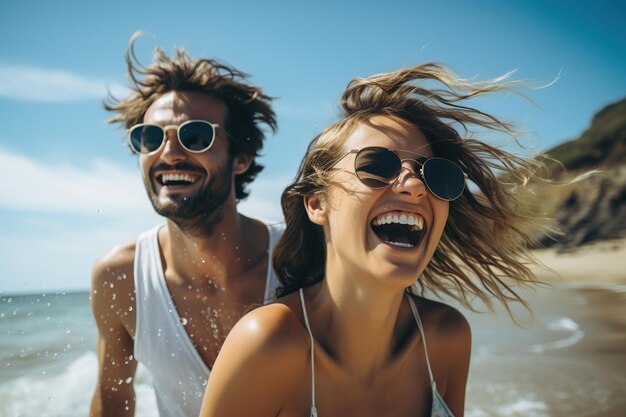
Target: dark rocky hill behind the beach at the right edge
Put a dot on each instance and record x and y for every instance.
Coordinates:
(594, 208)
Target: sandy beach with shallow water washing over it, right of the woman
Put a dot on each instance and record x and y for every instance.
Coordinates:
(570, 360)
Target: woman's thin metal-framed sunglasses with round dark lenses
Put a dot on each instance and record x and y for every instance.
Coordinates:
(378, 167)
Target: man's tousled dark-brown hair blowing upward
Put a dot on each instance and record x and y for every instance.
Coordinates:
(248, 106)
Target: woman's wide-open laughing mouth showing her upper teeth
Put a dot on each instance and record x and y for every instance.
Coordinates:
(399, 228)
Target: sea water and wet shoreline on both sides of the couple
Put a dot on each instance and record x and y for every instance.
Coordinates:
(565, 362)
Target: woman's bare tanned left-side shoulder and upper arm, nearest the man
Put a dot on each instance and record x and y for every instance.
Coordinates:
(267, 344)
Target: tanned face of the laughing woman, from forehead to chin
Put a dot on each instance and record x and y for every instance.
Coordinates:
(370, 229)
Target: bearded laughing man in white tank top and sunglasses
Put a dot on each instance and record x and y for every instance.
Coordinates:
(169, 299)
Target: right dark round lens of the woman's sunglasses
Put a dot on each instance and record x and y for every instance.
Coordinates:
(444, 178)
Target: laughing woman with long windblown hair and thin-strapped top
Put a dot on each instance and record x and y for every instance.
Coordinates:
(378, 214)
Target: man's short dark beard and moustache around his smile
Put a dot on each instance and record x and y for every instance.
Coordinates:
(196, 214)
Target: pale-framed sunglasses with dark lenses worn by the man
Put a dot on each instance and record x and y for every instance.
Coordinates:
(195, 136)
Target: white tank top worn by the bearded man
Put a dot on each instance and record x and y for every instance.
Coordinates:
(162, 344)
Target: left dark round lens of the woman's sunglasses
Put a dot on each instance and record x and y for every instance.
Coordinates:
(376, 167)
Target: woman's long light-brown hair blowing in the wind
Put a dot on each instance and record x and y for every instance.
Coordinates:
(483, 251)
